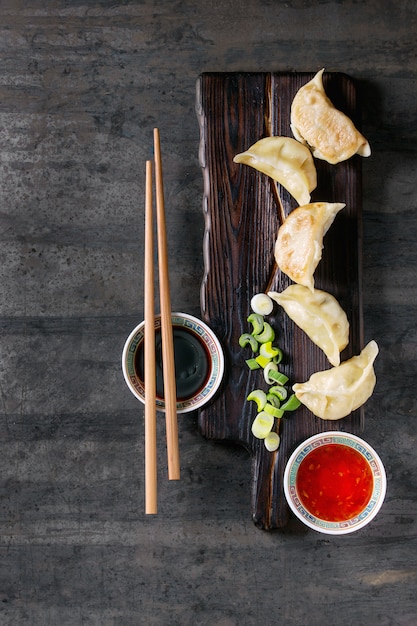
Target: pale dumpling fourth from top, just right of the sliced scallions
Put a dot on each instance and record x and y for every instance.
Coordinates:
(319, 315)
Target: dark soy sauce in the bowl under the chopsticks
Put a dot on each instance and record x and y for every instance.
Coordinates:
(191, 363)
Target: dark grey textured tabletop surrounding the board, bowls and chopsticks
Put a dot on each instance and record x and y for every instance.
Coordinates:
(82, 84)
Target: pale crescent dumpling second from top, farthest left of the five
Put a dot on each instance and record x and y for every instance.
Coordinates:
(285, 160)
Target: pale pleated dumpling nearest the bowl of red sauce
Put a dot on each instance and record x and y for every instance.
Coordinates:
(334, 393)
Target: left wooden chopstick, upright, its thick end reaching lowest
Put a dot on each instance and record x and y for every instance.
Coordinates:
(151, 506)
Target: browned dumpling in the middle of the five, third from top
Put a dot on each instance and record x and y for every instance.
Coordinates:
(299, 245)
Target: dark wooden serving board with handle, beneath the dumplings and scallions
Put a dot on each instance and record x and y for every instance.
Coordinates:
(242, 217)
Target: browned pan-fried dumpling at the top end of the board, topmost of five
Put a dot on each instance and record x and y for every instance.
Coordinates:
(331, 135)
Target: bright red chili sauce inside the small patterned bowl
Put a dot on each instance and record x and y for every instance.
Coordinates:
(334, 482)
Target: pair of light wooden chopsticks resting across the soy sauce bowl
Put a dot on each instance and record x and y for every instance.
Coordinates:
(168, 362)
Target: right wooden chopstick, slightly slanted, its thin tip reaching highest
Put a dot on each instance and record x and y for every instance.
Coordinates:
(170, 392)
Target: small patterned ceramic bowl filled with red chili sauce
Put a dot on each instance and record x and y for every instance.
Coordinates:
(335, 483)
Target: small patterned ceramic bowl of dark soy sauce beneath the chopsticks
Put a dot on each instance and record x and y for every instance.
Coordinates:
(199, 362)
